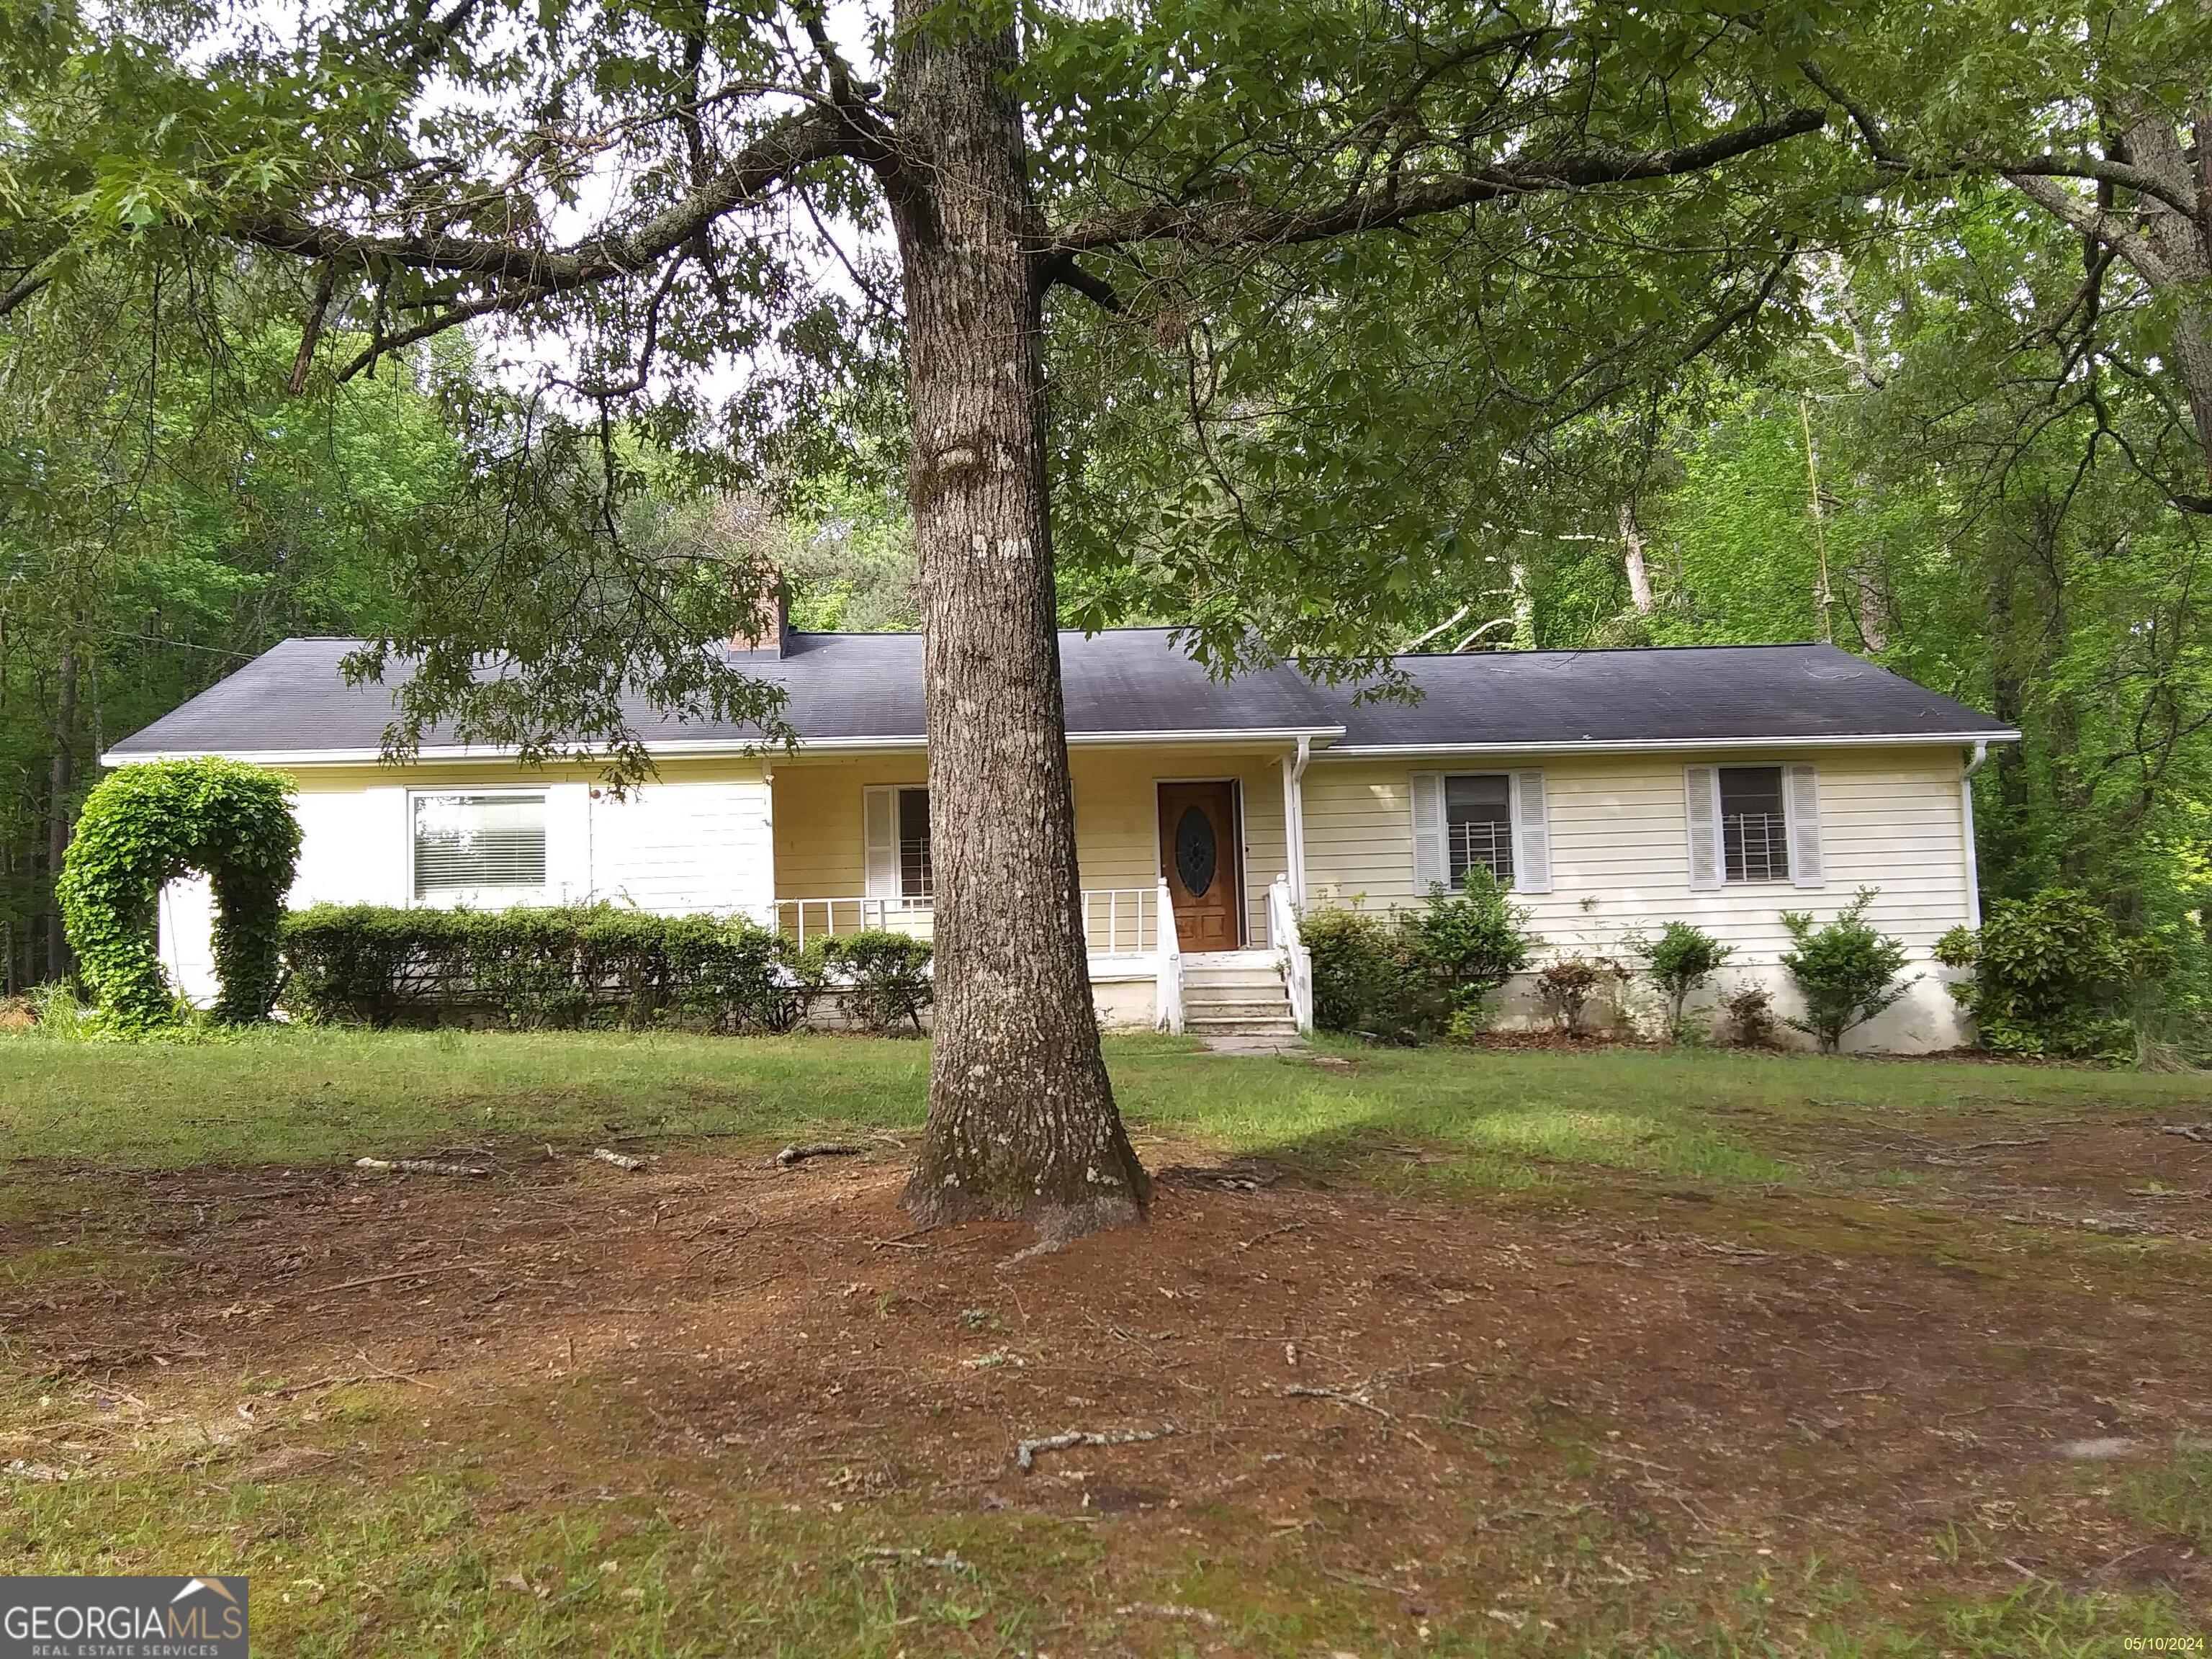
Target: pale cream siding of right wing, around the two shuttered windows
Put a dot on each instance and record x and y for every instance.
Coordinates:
(1620, 859)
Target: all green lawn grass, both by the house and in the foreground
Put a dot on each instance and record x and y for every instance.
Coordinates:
(424, 1534)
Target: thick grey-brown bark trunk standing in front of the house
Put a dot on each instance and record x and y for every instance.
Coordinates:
(1021, 1114)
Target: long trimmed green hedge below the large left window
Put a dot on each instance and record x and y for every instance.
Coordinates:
(585, 966)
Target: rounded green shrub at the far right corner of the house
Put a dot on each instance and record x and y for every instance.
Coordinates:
(2054, 977)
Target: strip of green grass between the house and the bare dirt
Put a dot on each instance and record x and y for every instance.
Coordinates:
(1507, 1118)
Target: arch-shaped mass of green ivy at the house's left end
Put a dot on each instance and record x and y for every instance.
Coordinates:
(147, 826)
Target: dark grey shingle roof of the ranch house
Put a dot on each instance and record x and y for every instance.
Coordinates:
(851, 689)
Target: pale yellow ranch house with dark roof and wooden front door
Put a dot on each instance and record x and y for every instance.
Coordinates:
(1611, 789)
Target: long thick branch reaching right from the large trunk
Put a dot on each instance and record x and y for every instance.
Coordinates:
(1395, 205)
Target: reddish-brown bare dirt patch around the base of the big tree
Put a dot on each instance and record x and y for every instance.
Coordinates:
(1443, 1404)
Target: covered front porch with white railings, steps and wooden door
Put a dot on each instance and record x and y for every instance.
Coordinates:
(1182, 855)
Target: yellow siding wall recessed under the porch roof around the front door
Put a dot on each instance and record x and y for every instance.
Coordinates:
(822, 846)
